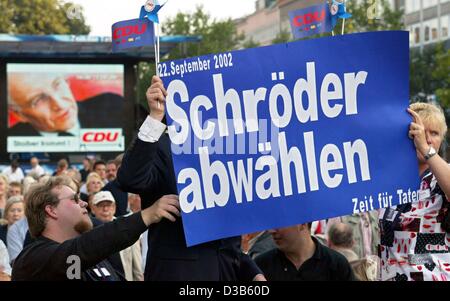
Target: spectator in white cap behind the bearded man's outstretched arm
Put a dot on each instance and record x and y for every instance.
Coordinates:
(104, 208)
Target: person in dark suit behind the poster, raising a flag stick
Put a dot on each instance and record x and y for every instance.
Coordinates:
(147, 169)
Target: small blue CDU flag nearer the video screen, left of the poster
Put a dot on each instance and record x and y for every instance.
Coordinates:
(132, 33)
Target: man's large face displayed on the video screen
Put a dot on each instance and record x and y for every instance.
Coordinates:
(43, 100)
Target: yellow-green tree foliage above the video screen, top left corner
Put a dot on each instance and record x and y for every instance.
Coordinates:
(41, 17)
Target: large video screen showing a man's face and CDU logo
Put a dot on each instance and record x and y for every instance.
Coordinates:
(65, 108)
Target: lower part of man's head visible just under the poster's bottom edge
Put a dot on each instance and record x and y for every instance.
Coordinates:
(287, 238)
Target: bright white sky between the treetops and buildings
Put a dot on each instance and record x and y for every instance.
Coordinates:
(101, 14)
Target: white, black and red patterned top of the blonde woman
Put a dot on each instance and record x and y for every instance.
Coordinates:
(413, 245)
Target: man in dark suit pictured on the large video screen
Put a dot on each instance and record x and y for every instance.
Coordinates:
(44, 103)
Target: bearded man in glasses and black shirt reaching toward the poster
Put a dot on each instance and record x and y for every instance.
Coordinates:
(67, 248)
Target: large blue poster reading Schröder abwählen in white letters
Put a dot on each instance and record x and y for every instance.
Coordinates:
(291, 133)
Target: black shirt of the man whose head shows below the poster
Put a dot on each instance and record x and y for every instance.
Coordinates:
(324, 265)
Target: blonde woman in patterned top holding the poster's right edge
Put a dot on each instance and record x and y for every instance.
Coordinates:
(414, 240)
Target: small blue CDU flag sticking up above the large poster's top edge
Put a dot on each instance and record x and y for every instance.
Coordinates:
(311, 20)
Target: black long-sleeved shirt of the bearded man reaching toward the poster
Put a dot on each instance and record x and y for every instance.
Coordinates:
(48, 260)
